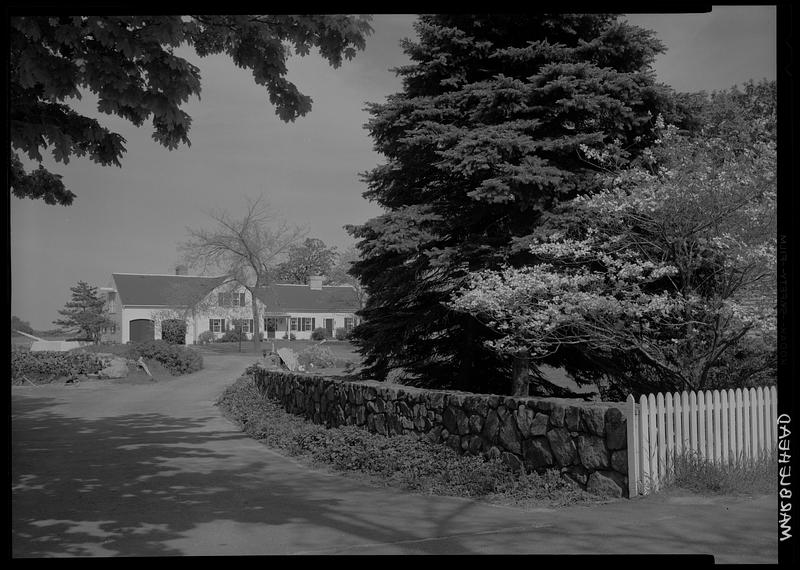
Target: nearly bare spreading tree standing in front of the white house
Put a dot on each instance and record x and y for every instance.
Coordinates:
(247, 249)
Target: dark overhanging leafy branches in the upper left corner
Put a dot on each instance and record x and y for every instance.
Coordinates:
(129, 62)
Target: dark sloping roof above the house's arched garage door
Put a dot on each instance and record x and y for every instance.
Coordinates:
(164, 290)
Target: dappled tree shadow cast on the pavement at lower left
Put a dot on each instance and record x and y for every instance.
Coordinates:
(139, 484)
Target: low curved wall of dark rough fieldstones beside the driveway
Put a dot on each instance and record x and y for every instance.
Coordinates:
(586, 440)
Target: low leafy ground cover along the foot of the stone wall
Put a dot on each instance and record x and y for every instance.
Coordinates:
(401, 461)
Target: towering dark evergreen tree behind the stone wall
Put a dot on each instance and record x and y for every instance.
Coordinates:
(482, 142)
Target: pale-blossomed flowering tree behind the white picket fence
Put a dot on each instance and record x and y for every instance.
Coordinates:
(658, 279)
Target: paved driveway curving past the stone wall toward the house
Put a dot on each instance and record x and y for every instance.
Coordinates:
(154, 470)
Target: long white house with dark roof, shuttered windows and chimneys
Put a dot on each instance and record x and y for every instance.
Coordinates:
(139, 303)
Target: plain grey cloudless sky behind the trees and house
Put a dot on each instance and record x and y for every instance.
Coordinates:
(131, 219)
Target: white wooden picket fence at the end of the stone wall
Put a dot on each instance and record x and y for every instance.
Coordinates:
(720, 426)
